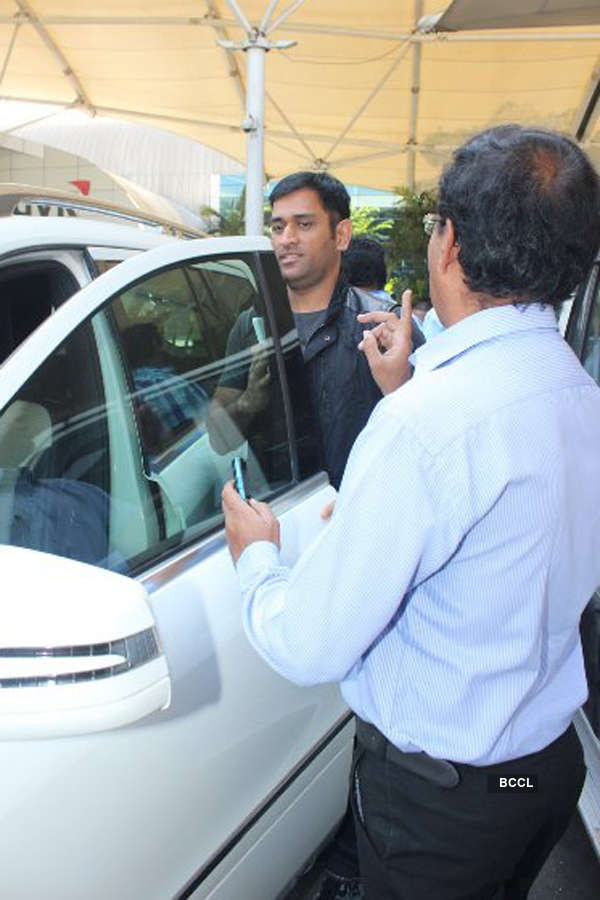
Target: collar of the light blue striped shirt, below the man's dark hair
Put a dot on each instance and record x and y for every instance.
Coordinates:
(480, 327)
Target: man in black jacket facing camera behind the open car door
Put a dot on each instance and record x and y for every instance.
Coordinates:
(310, 229)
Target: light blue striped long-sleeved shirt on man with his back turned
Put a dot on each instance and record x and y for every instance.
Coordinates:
(445, 593)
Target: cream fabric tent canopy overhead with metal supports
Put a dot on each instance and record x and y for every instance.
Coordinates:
(362, 92)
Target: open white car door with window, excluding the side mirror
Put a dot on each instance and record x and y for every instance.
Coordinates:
(117, 430)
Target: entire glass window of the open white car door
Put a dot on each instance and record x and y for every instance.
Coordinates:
(125, 436)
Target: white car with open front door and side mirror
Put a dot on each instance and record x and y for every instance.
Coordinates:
(147, 750)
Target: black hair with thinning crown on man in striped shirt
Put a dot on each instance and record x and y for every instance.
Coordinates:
(525, 204)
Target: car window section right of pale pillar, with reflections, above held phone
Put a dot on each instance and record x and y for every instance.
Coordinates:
(181, 338)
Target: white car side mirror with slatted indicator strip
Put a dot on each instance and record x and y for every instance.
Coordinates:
(79, 649)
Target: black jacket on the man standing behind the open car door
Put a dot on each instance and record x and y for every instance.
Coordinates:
(342, 389)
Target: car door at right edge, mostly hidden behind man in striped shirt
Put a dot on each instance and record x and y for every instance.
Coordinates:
(583, 334)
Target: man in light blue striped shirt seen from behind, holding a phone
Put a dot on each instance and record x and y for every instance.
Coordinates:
(446, 592)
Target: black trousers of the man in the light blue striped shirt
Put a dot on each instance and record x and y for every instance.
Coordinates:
(420, 841)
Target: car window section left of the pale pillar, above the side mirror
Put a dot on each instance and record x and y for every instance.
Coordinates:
(55, 460)
